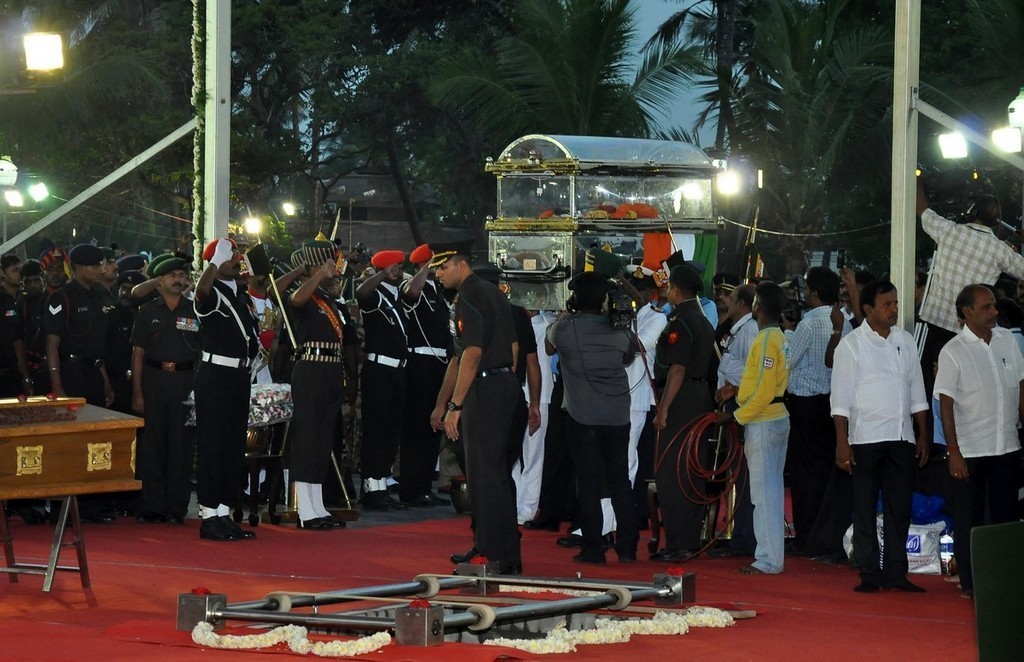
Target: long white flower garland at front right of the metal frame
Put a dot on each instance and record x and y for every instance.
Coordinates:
(561, 640)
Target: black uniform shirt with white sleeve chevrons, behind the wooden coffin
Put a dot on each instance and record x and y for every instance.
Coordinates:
(79, 317)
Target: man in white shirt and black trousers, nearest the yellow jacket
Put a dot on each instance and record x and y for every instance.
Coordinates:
(877, 386)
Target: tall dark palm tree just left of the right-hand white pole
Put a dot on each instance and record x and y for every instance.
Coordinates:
(814, 89)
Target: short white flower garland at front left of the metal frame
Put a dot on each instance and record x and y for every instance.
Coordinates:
(294, 637)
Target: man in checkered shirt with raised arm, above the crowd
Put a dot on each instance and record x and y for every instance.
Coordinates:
(967, 254)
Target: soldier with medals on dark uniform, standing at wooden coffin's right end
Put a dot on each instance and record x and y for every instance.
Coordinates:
(165, 349)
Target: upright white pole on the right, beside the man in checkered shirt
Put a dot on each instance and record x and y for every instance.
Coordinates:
(906, 81)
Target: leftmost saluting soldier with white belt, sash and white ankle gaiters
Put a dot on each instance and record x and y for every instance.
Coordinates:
(228, 338)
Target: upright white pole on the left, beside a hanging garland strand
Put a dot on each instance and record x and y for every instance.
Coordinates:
(219, 118)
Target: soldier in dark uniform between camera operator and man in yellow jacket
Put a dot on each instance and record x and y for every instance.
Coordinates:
(682, 357)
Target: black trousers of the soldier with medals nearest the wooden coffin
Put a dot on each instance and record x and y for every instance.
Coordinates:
(165, 448)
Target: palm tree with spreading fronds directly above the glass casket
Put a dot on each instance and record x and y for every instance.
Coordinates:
(565, 71)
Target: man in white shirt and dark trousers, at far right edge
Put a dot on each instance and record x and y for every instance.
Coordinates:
(979, 385)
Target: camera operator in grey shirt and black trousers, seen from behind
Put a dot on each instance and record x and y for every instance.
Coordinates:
(593, 355)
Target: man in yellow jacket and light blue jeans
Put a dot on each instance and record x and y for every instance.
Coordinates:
(763, 415)
